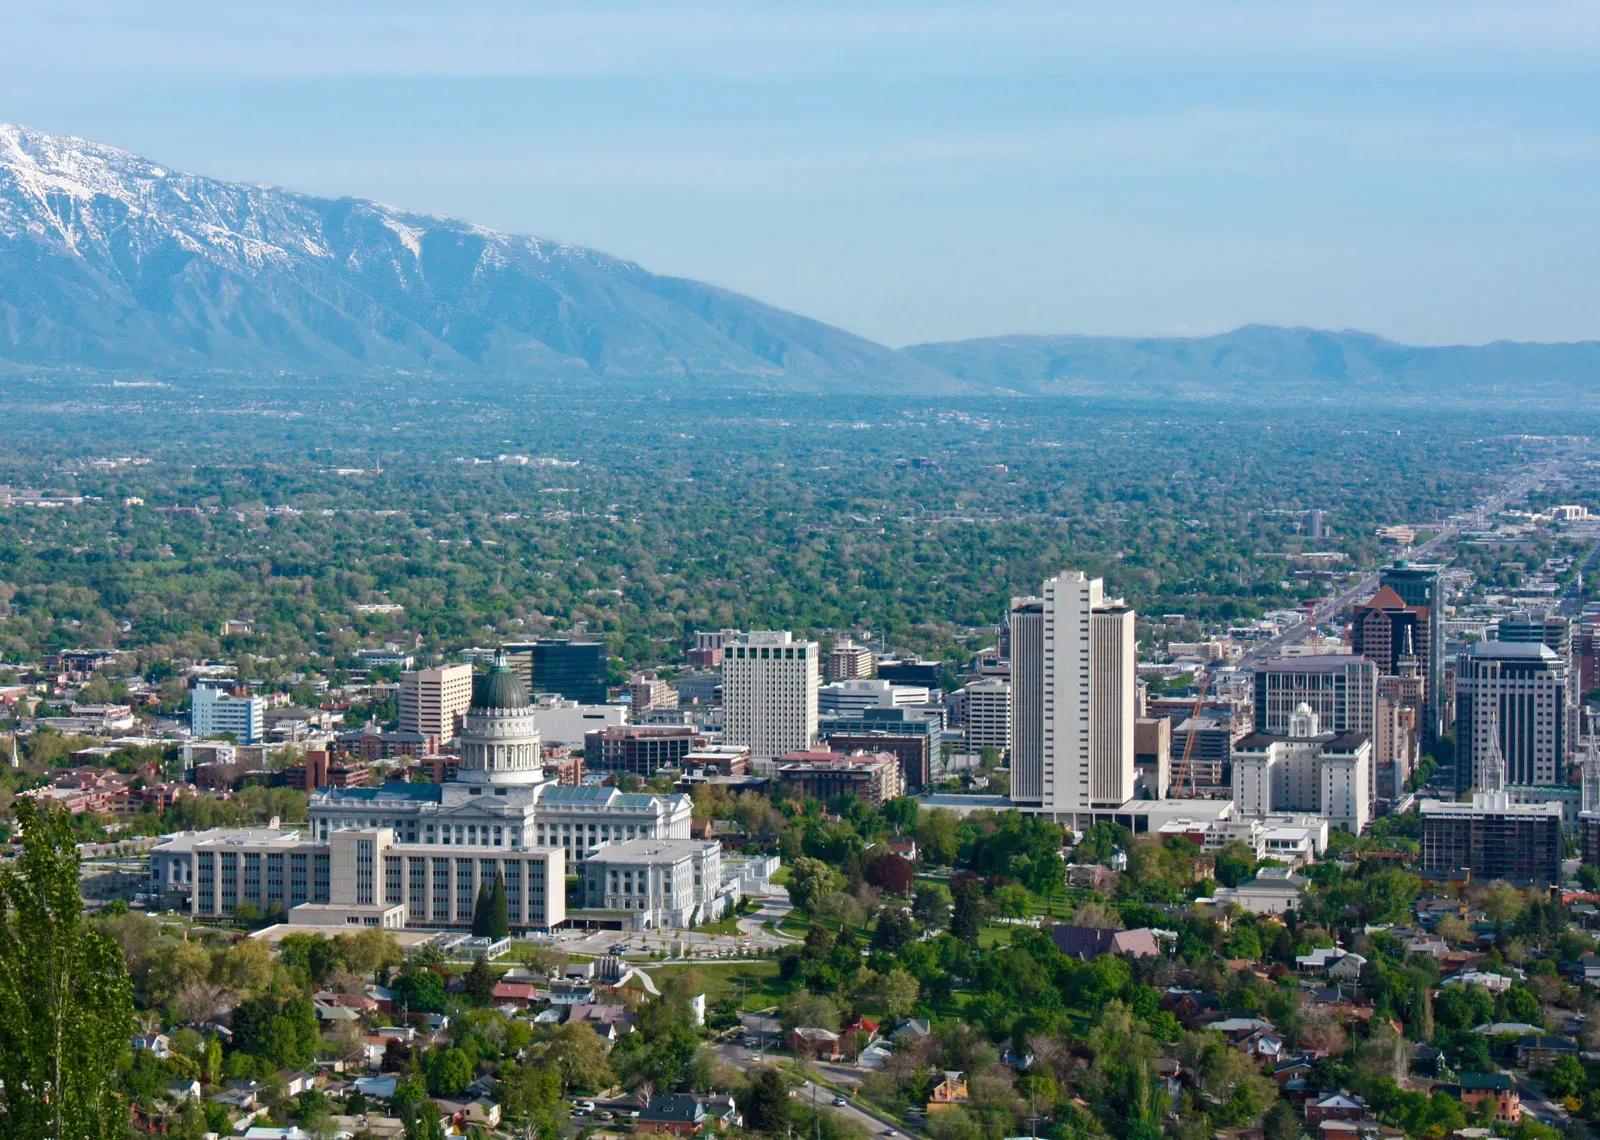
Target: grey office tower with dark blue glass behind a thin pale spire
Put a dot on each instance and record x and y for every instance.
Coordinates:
(1511, 697)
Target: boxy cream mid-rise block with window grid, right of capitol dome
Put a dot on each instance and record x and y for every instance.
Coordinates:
(769, 694)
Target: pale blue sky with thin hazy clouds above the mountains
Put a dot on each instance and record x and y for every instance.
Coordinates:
(916, 172)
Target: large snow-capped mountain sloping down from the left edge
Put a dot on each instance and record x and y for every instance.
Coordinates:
(113, 262)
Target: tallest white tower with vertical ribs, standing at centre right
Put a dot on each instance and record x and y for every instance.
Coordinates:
(1073, 659)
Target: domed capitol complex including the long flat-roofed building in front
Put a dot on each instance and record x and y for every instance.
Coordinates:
(417, 854)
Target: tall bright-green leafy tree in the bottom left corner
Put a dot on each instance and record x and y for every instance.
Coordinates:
(66, 1008)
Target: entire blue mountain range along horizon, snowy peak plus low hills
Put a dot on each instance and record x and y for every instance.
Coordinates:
(110, 262)
